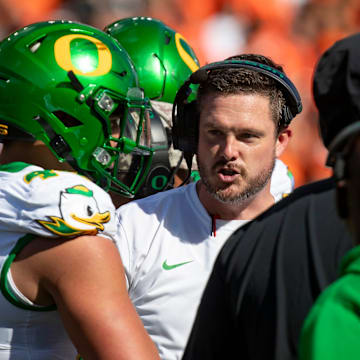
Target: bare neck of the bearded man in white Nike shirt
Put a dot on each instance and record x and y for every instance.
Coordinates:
(245, 210)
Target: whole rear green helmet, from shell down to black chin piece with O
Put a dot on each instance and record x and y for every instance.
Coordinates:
(164, 61)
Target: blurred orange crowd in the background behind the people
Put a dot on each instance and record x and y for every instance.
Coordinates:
(294, 33)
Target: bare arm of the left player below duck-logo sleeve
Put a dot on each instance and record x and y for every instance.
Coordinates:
(85, 278)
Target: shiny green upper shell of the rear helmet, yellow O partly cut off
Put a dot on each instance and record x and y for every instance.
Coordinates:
(163, 59)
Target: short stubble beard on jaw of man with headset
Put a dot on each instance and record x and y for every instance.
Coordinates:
(253, 185)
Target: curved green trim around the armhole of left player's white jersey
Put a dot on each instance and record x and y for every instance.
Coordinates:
(4, 284)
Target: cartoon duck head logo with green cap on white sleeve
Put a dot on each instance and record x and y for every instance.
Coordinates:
(80, 214)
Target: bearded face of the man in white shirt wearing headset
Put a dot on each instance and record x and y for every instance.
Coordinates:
(237, 145)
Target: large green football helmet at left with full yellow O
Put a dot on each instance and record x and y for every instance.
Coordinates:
(75, 88)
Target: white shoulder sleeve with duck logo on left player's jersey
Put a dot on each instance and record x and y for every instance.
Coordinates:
(52, 203)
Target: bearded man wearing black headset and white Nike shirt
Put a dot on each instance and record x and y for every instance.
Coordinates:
(237, 126)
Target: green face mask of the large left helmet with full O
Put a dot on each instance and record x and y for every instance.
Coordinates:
(127, 153)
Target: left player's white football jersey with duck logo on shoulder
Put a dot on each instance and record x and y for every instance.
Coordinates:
(46, 203)
